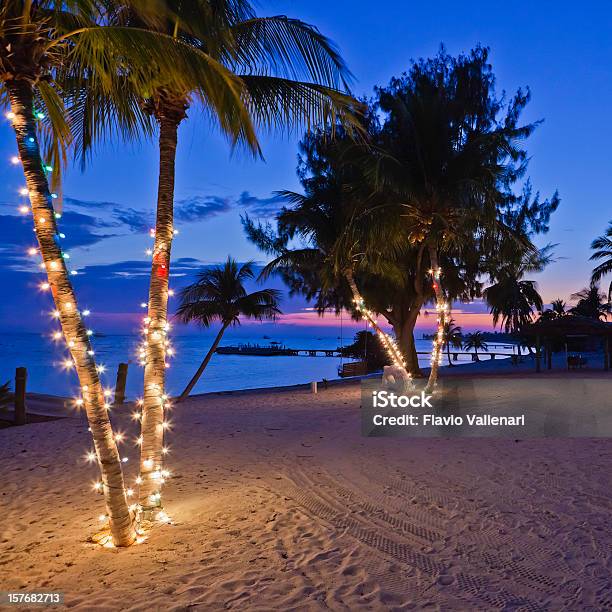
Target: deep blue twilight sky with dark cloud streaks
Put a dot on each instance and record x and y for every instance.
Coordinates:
(561, 50)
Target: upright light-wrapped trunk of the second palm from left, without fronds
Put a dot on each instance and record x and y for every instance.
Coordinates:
(156, 330)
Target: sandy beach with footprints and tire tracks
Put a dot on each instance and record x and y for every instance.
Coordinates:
(279, 503)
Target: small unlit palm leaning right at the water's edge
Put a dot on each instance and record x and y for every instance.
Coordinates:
(219, 295)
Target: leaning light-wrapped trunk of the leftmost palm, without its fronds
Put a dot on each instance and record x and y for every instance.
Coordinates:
(73, 328)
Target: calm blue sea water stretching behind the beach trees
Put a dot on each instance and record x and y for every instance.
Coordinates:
(43, 359)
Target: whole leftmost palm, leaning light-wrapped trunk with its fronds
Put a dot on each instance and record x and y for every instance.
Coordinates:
(48, 50)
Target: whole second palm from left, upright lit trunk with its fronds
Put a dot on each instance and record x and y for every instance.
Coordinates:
(282, 73)
